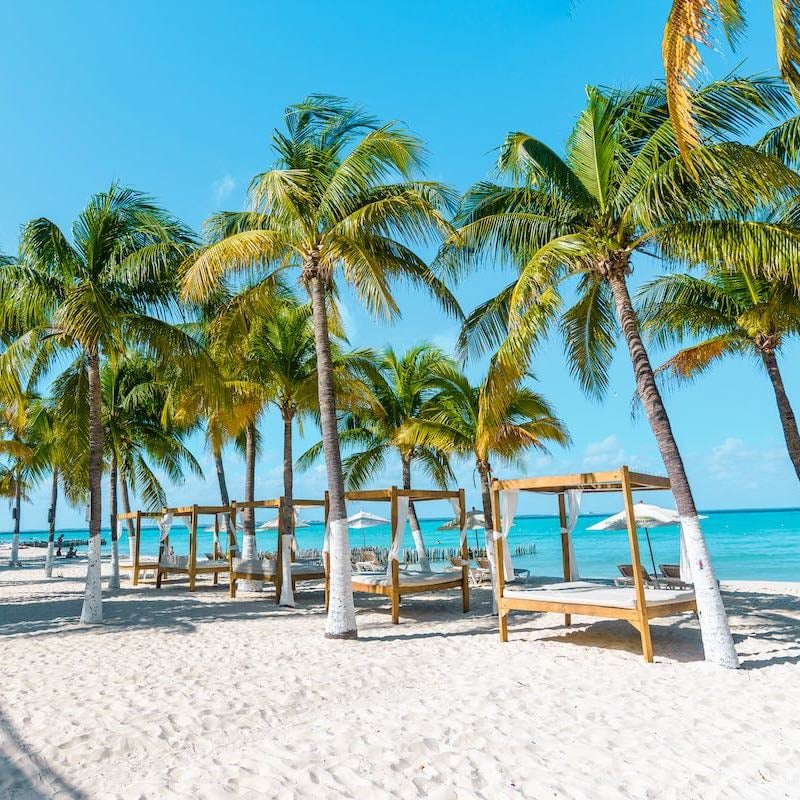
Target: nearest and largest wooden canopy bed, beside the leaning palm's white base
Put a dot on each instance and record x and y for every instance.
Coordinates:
(635, 604)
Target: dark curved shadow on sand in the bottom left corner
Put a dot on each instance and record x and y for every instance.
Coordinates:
(26, 776)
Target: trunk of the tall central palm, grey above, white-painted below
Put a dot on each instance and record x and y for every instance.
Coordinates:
(341, 621)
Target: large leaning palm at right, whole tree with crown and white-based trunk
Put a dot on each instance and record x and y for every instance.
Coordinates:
(622, 189)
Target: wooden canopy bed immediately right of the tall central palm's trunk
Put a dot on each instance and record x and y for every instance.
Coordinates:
(393, 583)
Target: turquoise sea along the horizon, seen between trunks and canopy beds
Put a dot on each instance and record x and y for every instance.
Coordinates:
(745, 544)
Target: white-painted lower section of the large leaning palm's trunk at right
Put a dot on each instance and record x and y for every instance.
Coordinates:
(717, 640)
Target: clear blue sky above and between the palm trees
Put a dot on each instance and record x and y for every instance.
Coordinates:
(179, 99)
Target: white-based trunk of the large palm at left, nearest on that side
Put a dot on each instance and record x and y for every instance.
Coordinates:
(92, 611)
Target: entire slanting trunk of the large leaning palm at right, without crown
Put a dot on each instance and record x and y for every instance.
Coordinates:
(717, 639)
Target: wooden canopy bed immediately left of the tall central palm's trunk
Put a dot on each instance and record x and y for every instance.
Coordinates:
(263, 570)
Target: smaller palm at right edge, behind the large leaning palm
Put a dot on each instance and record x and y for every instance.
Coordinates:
(732, 313)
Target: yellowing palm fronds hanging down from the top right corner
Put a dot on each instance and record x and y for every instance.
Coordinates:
(689, 26)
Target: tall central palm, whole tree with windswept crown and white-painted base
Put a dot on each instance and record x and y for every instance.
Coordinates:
(329, 208)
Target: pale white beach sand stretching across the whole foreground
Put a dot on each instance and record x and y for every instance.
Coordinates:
(183, 695)
